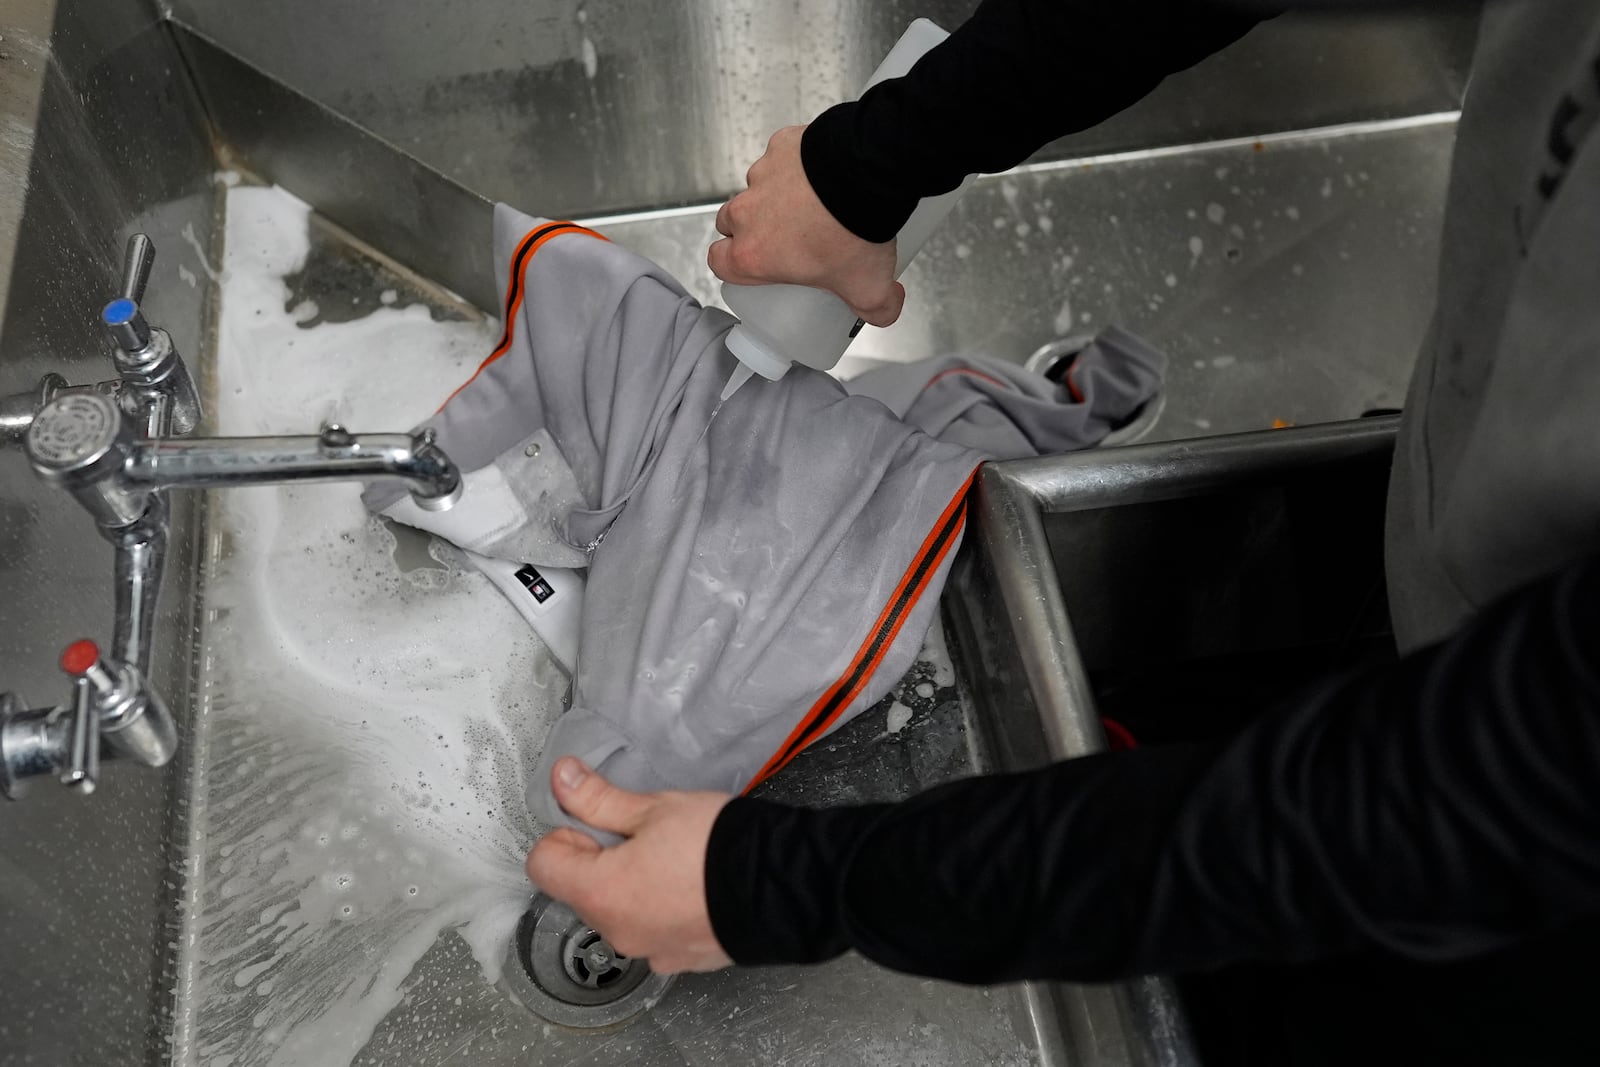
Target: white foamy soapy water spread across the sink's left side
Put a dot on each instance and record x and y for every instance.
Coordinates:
(366, 733)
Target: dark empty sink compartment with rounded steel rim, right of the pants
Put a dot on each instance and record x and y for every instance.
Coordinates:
(1166, 585)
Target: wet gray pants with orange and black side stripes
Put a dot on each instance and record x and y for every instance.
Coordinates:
(754, 580)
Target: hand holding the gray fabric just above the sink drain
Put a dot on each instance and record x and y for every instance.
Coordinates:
(647, 897)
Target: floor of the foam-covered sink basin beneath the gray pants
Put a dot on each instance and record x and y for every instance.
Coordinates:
(370, 713)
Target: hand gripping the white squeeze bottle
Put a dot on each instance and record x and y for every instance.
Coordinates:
(778, 231)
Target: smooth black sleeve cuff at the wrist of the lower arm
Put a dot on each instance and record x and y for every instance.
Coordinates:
(772, 879)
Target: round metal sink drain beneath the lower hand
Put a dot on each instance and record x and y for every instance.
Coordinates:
(564, 972)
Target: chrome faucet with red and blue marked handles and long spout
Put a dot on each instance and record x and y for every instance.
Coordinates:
(118, 449)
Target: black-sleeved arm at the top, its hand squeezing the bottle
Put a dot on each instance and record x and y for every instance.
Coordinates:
(1014, 78)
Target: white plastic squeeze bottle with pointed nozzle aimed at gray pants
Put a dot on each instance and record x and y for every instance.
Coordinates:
(782, 326)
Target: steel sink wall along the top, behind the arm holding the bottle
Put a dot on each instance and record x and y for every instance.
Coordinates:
(591, 106)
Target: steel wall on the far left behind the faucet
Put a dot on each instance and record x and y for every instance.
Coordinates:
(110, 142)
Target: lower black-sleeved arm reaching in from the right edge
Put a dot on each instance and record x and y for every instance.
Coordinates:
(1434, 809)
